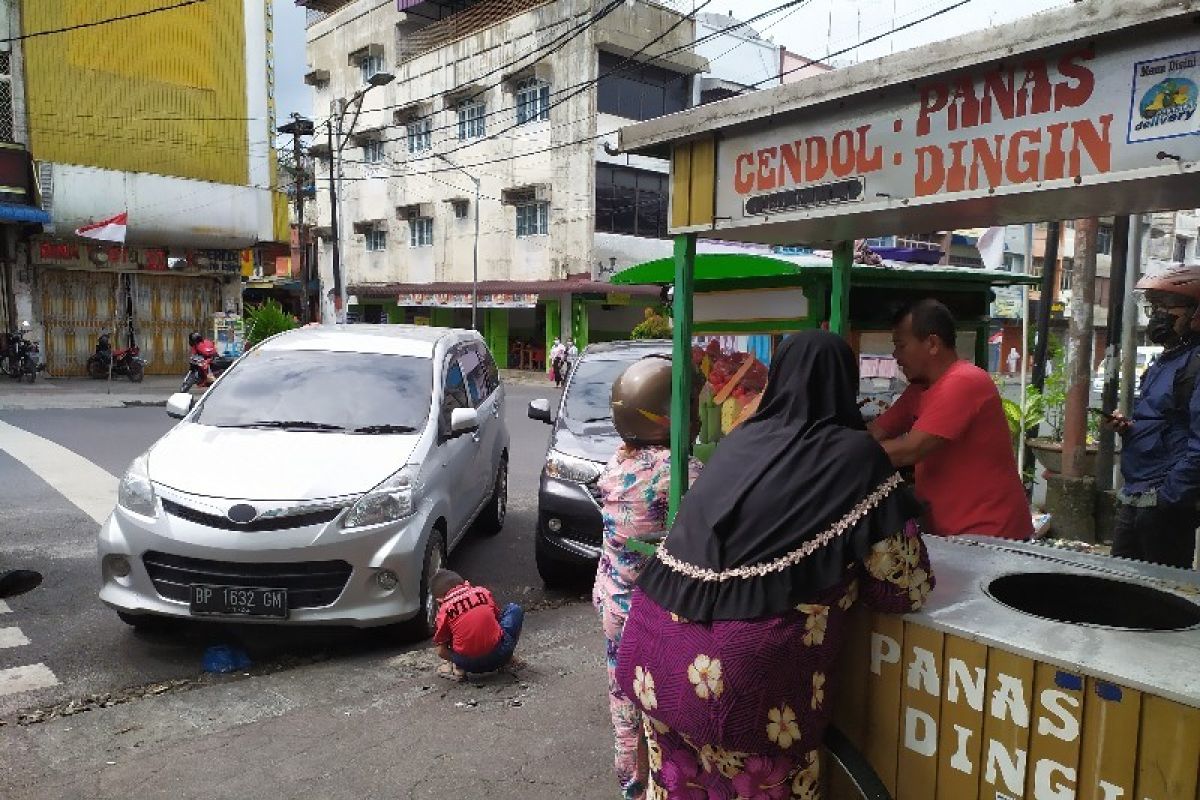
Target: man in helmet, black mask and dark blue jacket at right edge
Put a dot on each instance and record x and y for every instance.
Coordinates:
(1161, 444)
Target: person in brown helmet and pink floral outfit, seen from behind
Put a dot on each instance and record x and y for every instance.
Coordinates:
(635, 489)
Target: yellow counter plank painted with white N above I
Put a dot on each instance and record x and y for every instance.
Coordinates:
(961, 729)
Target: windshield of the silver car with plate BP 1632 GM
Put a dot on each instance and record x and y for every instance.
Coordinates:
(325, 392)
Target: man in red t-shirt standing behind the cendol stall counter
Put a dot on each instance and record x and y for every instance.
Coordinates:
(951, 425)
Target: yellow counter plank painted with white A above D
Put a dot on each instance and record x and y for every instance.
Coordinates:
(921, 703)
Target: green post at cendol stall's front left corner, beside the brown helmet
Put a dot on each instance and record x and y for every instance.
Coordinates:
(681, 375)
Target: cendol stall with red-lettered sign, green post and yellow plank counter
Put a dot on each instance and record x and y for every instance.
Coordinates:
(1030, 673)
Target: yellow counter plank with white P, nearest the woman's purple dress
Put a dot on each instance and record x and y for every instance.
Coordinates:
(884, 685)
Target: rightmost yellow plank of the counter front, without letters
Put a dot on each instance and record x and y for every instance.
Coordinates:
(1169, 750)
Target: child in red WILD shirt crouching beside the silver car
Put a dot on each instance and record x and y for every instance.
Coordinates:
(472, 634)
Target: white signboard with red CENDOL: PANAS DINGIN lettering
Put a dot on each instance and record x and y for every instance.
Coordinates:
(1095, 112)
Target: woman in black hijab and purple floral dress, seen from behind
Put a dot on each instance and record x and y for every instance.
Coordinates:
(737, 622)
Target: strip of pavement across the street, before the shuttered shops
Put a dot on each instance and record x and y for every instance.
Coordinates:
(154, 390)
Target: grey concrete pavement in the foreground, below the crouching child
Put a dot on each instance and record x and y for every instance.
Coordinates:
(363, 727)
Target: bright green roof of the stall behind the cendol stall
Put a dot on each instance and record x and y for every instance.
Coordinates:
(747, 267)
